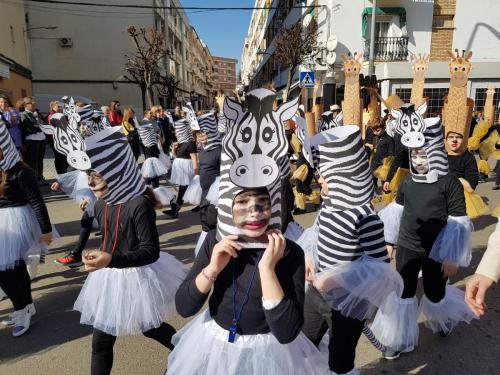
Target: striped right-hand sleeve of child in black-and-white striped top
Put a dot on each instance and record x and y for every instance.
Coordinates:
(371, 236)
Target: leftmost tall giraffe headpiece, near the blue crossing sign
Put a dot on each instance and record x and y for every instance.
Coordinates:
(352, 104)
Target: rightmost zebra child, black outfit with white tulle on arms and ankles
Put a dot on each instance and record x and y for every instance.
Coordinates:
(429, 225)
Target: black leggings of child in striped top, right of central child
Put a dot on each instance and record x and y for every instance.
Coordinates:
(344, 331)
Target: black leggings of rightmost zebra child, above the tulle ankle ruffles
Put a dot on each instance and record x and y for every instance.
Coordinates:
(409, 263)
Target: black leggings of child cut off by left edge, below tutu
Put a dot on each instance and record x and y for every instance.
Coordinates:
(16, 284)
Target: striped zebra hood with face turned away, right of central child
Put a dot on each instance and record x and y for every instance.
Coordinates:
(343, 164)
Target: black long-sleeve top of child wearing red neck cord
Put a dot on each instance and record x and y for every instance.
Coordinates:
(138, 243)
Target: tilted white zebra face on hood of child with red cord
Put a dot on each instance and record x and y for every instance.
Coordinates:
(68, 141)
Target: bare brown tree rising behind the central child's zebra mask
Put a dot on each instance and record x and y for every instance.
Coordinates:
(295, 45)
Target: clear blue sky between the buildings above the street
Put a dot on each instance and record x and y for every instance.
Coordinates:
(222, 31)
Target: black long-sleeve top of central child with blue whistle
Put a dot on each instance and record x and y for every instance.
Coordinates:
(284, 321)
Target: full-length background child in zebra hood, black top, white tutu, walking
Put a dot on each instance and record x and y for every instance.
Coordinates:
(185, 165)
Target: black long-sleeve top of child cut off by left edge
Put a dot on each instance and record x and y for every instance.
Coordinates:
(20, 189)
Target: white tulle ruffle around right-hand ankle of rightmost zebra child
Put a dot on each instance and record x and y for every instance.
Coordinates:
(447, 313)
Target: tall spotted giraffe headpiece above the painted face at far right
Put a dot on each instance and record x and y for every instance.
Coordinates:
(457, 109)
